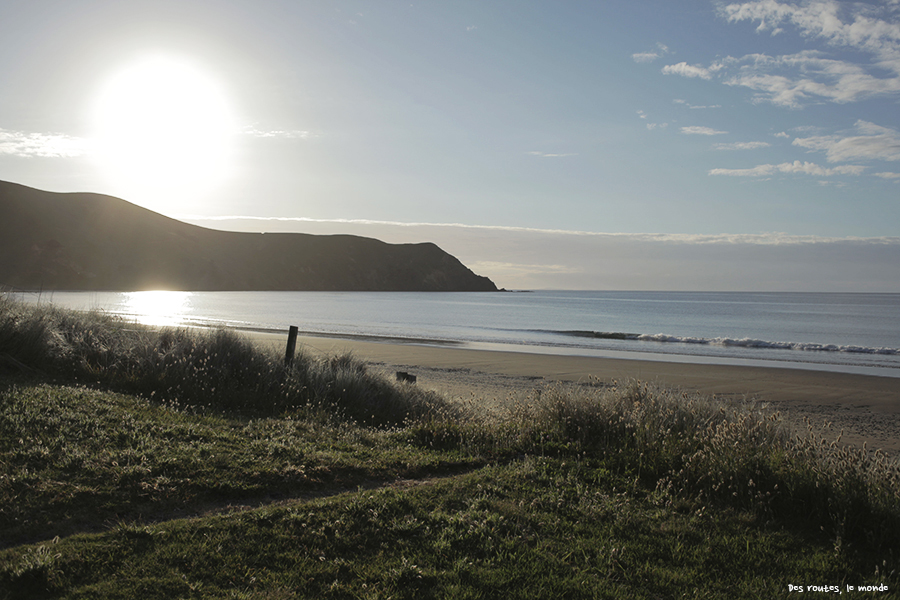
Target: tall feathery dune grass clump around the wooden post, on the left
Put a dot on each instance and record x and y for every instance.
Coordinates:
(215, 369)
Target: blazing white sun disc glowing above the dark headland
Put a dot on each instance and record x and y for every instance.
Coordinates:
(164, 132)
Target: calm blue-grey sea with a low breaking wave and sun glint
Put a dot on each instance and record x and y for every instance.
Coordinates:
(847, 332)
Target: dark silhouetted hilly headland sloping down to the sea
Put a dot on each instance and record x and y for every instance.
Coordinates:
(96, 242)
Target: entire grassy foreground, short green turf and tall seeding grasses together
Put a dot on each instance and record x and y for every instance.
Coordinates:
(173, 464)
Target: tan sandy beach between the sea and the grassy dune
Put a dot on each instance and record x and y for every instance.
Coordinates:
(865, 407)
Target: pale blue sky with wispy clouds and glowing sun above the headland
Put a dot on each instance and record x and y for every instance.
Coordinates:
(527, 138)
